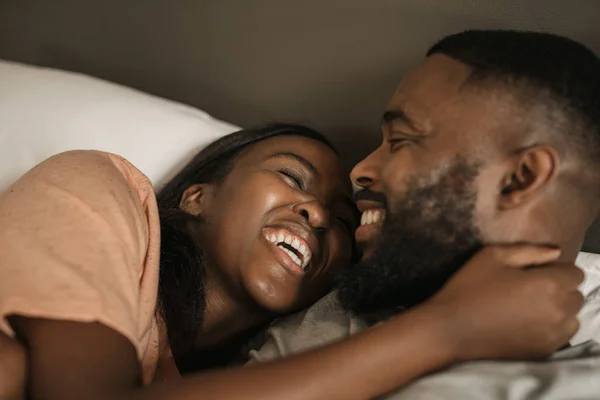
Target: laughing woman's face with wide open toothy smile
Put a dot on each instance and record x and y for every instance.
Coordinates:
(281, 224)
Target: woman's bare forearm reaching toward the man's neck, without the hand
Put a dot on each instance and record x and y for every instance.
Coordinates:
(369, 364)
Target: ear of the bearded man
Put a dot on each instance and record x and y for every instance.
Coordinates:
(529, 173)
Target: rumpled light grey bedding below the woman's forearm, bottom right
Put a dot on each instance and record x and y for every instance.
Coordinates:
(572, 374)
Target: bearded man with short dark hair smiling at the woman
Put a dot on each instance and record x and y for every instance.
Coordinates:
(494, 138)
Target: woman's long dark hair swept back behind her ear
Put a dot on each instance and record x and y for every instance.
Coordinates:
(181, 292)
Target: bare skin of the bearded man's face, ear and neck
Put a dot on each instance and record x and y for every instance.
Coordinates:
(436, 116)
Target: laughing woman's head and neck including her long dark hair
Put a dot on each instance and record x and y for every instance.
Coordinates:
(250, 222)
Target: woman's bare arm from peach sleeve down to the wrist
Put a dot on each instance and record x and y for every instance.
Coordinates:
(77, 360)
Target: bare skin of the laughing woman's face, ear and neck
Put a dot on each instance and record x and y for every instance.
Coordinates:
(289, 181)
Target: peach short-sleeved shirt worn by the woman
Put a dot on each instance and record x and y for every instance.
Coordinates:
(80, 241)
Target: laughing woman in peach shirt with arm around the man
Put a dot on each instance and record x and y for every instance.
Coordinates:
(254, 227)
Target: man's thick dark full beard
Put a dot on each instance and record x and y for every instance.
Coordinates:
(428, 238)
